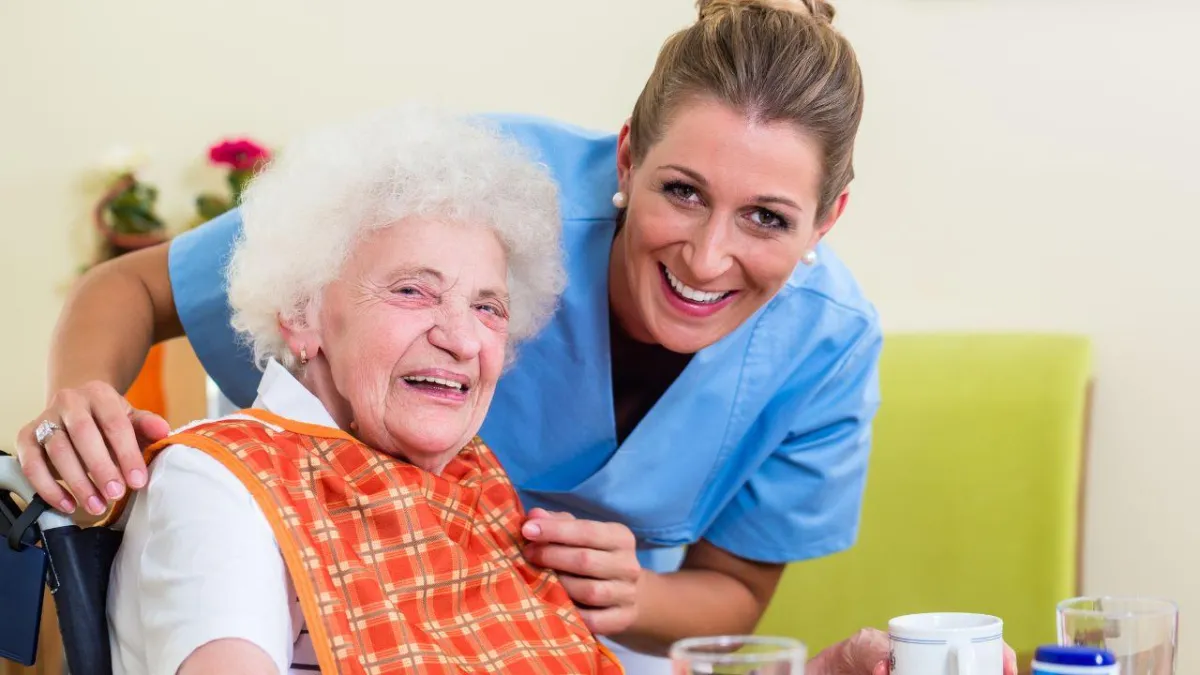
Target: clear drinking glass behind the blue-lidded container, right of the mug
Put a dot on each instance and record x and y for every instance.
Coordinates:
(1141, 632)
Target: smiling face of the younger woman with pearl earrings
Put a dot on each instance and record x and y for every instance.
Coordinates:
(721, 212)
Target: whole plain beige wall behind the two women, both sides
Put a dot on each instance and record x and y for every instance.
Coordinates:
(1049, 187)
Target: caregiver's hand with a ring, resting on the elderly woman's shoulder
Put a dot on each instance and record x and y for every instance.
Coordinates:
(98, 453)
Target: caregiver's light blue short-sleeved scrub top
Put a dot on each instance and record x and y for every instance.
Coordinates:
(760, 446)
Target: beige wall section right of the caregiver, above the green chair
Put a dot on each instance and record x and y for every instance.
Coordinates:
(1054, 187)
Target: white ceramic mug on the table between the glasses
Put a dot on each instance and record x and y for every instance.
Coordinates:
(947, 644)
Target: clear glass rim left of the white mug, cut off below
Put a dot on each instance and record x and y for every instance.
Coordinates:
(739, 655)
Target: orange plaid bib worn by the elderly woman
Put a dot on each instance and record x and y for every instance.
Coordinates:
(398, 570)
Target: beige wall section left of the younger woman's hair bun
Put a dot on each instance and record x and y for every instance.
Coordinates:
(77, 79)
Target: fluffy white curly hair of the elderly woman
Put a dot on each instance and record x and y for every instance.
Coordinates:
(304, 213)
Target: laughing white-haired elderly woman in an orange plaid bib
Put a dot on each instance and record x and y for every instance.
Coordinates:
(386, 272)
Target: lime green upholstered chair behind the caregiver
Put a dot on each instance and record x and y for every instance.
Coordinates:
(974, 494)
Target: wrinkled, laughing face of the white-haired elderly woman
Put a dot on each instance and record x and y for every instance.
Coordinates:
(415, 332)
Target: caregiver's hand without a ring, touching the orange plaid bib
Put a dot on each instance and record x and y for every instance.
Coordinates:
(596, 561)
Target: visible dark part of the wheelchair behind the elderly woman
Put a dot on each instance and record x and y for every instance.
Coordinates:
(79, 564)
